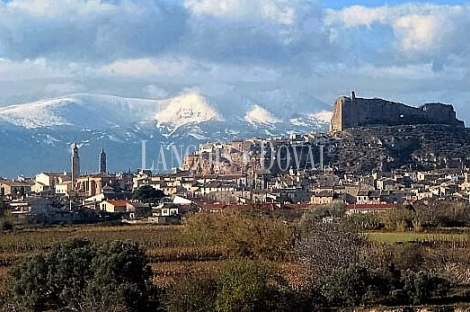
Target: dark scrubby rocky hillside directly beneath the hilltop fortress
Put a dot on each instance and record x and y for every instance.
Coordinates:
(416, 146)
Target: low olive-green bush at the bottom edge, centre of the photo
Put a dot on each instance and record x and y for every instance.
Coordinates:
(241, 285)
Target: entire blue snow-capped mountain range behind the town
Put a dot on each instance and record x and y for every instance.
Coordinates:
(36, 136)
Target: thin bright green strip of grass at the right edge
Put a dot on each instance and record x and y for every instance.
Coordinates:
(404, 237)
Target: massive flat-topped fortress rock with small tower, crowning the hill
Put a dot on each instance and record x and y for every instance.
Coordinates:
(353, 112)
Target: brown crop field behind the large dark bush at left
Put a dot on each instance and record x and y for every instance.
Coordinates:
(171, 251)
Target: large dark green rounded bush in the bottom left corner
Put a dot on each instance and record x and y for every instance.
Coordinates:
(82, 276)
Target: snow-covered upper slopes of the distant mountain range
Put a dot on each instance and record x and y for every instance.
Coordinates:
(104, 112)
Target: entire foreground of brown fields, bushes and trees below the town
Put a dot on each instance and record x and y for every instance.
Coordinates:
(235, 261)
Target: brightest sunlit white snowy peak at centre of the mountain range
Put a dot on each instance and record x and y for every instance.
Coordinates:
(185, 109)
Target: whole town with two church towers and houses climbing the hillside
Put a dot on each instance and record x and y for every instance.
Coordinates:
(233, 181)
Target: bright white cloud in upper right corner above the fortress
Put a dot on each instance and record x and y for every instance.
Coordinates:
(417, 27)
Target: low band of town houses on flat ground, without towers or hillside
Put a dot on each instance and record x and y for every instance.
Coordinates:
(45, 199)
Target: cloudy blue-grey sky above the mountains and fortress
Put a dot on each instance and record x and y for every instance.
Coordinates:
(285, 50)
